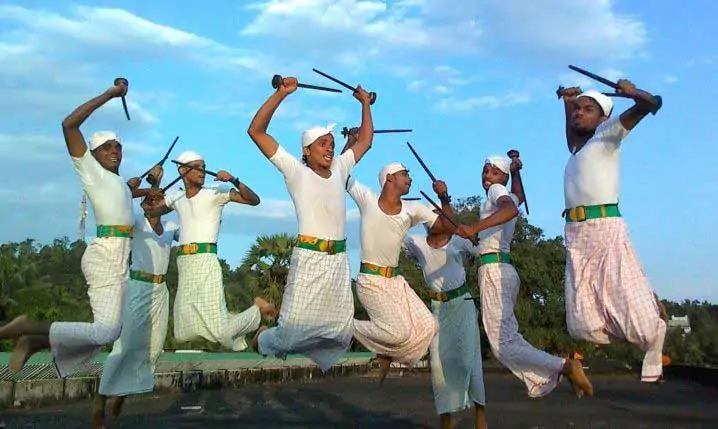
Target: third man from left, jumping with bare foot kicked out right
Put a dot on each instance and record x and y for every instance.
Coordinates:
(200, 307)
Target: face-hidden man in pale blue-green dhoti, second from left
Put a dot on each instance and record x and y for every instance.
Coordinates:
(129, 369)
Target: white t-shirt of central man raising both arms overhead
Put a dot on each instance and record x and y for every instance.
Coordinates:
(320, 203)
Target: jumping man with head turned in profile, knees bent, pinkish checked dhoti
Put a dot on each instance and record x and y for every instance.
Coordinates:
(401, 327)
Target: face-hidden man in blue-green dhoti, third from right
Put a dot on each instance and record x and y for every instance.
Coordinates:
(456, 368)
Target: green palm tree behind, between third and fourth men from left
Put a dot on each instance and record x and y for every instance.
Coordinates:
(267, 263)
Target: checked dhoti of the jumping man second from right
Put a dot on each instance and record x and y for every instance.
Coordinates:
(540, 371)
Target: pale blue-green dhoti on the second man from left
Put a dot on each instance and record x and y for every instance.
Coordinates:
(130, 367)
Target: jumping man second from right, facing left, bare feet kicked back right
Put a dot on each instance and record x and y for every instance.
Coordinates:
(499, 284)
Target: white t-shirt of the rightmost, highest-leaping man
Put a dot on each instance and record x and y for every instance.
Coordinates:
(592, 175)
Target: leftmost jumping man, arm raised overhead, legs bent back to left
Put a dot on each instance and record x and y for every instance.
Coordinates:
(105, 262)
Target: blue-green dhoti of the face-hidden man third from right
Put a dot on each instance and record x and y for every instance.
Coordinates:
(457, 374)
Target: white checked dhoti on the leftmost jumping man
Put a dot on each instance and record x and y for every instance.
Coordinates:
(105, 265)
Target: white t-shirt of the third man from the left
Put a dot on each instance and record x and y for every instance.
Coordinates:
(199, 216)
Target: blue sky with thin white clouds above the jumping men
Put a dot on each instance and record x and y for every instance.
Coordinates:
(472, 78)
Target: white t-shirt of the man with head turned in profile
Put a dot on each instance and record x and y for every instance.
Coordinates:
(382, 235)
